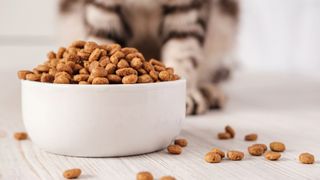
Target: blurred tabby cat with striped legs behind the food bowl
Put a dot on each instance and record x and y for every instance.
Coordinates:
(195, 37)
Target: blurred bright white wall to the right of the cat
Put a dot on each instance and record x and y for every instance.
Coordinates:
(281, 35)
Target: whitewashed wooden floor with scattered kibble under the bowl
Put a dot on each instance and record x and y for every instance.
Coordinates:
(282, 107)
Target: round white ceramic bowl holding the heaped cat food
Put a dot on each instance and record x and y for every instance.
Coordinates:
(103, 120)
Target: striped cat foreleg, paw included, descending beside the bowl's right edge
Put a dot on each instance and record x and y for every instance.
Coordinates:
(183, 31)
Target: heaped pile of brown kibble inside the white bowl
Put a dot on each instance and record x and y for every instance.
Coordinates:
(90, 63)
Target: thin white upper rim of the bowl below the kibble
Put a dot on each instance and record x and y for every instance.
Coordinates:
(107, 86)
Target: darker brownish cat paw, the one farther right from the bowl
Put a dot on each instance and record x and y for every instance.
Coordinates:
(215, 98)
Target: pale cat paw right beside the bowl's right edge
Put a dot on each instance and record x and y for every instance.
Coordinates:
(196, 103)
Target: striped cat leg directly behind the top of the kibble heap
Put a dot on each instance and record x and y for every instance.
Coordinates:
(106, 23)
